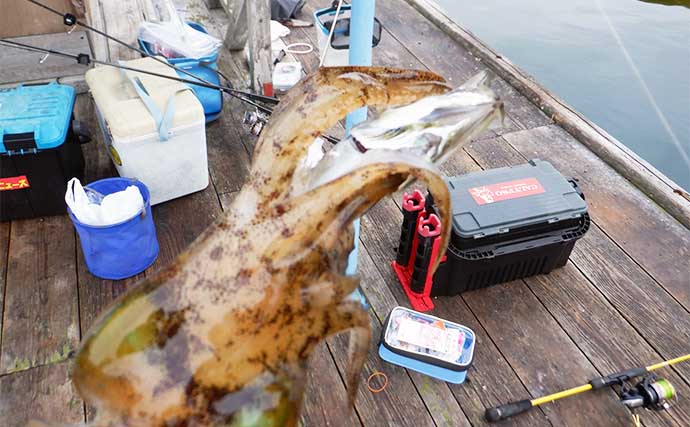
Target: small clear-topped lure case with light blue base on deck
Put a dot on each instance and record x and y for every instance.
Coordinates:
(427, 344)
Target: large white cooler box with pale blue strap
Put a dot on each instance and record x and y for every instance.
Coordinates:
(155, 133)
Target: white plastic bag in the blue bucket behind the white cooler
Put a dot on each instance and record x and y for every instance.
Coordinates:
(174, 38)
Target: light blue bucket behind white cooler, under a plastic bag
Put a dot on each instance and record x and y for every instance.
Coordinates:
(206, 69)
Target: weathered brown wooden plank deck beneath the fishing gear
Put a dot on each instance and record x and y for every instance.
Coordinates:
(622, 300)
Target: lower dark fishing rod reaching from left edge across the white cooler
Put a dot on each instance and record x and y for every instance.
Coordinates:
(85, 59)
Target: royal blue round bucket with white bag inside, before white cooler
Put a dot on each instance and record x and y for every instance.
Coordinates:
(120, 250)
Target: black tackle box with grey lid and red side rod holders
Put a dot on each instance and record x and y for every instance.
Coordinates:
(508, 223)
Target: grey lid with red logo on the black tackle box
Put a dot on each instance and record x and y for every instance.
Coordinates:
(497, 201)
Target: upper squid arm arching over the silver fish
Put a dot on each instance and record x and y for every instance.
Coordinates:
(317, 104)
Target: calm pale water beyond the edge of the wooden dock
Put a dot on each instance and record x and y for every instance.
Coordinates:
(606, 58)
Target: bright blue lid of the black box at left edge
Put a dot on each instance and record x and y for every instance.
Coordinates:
(42, 110)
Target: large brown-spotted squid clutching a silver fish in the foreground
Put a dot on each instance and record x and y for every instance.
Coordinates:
(222, 336)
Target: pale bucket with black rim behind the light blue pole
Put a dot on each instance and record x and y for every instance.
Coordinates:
(339, 50)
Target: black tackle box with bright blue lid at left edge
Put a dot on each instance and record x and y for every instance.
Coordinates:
(40, 149)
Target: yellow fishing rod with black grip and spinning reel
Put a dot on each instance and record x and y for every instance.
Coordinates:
(649, 393)
